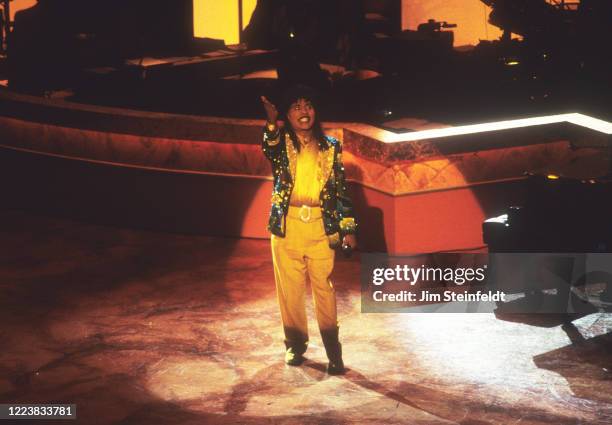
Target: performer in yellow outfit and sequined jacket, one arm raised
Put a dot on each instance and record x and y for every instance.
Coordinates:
(311, 214)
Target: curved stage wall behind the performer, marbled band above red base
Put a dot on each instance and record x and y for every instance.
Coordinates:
(207, 175)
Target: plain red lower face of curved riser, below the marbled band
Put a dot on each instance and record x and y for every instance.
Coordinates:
(237, 206)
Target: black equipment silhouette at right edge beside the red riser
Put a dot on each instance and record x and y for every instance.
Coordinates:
(564, 219)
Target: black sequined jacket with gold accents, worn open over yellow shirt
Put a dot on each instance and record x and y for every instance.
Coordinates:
(336, 206)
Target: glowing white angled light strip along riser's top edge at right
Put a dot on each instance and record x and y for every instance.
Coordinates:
(574, 118)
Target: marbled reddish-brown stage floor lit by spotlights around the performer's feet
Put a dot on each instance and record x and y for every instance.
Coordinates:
(139, 327)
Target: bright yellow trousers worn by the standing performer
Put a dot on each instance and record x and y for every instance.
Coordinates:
(304, 253)
